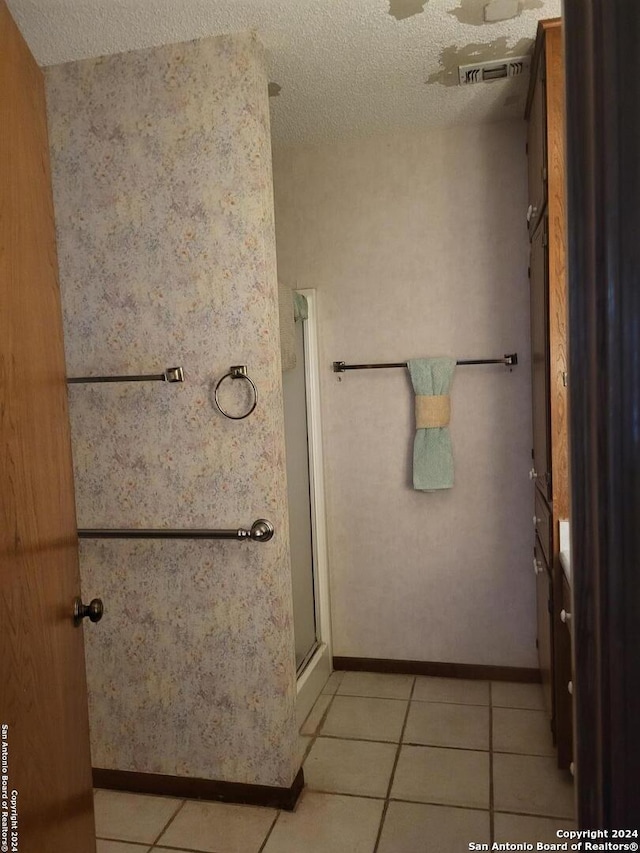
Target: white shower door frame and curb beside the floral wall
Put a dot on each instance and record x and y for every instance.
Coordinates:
(313, 677)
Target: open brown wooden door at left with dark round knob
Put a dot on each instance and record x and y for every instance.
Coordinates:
(43, 695)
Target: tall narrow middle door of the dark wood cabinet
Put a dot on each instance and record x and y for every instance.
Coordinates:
(540, 359)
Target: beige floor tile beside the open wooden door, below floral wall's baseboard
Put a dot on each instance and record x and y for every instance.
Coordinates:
(132, 817)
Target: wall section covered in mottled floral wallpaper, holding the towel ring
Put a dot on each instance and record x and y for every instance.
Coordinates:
(163, 195)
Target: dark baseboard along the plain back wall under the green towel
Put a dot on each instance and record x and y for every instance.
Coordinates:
(443, 670)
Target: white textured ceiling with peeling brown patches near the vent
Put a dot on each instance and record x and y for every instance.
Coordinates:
(345, 68)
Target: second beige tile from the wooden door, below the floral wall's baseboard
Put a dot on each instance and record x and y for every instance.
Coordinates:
(219, 828)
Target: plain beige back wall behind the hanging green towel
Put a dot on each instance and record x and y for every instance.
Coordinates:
(417, 246)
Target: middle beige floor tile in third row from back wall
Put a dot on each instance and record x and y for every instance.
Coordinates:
(455, 777)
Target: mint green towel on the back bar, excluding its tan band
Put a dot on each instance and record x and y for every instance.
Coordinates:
(432, 455)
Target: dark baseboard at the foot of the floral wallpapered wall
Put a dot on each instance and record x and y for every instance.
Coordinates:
(188, 788)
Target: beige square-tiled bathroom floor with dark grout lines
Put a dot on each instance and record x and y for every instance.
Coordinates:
(393, 764)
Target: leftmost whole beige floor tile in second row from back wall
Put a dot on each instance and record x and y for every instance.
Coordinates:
(372, 719)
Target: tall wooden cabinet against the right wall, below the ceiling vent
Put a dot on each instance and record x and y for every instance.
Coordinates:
(547, 275)
